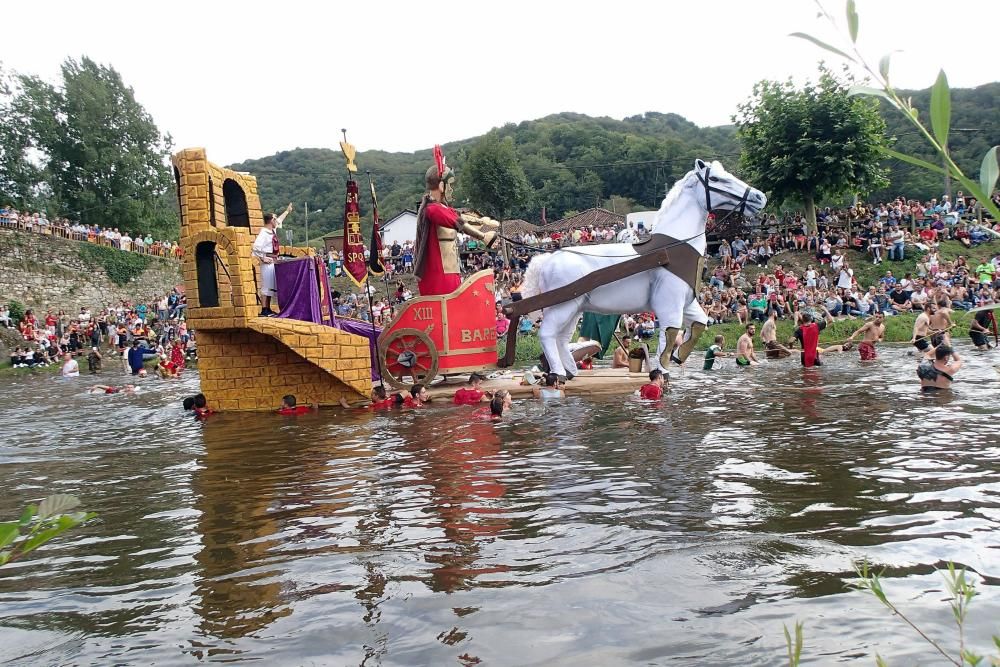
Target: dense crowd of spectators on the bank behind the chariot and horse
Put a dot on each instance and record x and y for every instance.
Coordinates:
(843, 239)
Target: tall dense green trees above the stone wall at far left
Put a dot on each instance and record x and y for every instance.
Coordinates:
(87, 150)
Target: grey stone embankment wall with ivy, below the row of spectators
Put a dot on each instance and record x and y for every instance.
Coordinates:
(45, 272)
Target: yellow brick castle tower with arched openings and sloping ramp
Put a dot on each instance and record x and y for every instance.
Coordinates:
(249, 362)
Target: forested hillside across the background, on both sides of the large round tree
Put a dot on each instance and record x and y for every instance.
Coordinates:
(574, 161)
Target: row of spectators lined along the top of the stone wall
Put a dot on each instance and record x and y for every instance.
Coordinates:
(38, 223)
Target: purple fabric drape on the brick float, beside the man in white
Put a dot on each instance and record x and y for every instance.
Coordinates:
(300, 283)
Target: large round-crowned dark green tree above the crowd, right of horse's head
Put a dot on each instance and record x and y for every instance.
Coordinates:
(811, 144)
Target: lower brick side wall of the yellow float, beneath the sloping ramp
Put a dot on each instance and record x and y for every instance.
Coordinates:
(246, 370)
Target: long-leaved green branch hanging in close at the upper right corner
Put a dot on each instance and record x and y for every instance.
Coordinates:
(940, 112)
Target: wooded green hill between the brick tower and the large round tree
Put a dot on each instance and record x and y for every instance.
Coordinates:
(572, 161)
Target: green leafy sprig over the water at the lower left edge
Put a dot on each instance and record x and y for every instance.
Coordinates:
(38, 524)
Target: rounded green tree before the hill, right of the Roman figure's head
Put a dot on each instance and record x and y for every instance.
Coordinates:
(493, 179)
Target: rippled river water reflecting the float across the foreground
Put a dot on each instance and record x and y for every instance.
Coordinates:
(585, 532)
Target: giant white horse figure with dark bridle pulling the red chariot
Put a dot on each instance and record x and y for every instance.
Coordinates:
(680, 220)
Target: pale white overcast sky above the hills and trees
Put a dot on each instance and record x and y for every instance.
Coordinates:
(248, 79)
